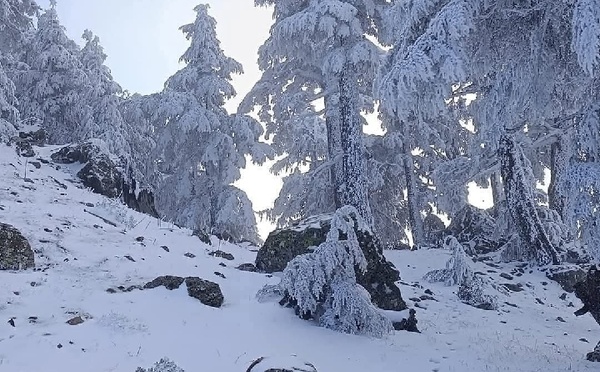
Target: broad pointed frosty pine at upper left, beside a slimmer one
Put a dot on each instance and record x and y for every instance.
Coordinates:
(50, 90)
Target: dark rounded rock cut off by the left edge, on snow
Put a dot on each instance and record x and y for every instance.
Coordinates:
(15, 251)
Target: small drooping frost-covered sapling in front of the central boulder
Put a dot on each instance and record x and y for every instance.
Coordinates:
(322, 285)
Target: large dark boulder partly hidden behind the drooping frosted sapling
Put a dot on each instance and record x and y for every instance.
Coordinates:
(379, 280)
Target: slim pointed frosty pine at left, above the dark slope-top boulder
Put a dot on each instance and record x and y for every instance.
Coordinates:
(103, 120)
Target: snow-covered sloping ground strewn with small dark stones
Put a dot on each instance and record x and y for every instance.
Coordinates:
(78, 257)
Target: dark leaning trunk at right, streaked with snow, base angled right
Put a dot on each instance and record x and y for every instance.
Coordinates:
(521, 204)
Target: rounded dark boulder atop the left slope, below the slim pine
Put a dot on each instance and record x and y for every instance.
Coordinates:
(102, 176)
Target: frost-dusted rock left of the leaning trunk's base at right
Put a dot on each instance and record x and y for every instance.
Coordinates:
(473, 228)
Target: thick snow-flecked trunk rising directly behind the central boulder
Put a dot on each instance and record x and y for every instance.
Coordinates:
(353, 185)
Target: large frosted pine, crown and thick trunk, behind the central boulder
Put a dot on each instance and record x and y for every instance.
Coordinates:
(317, 56)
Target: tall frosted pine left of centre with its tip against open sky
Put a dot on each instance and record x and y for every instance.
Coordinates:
(201, 147)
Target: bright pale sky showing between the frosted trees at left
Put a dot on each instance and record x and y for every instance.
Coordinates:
(143, 43)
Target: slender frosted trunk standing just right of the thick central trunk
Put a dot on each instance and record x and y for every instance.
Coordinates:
(414, 210)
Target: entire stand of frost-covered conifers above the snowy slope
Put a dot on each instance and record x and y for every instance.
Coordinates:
(503, 95)
